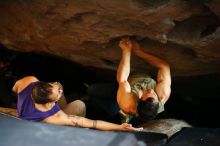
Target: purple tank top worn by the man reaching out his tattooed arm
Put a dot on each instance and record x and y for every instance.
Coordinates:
(26, 108)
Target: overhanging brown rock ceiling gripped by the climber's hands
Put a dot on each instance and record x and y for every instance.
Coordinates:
(184, 32)
